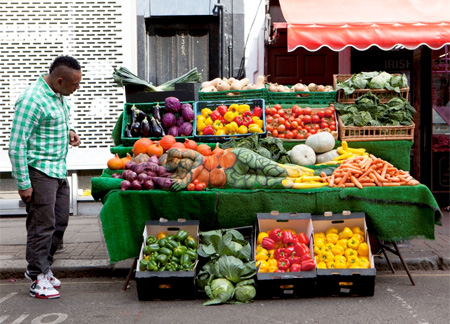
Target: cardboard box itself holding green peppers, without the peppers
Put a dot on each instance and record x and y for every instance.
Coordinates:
(166, 284)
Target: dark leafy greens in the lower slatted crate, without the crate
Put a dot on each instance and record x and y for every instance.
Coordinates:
(367, 111)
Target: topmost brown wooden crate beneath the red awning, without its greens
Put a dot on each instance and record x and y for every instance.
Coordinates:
(383, 94)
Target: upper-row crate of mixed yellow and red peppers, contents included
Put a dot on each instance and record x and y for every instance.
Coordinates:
(222, 120)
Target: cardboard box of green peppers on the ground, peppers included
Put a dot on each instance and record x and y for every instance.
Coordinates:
(167, 261)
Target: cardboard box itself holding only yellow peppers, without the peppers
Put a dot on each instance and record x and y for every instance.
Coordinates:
(344, 282)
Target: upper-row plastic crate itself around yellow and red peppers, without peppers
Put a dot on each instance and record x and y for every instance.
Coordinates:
(199, 105)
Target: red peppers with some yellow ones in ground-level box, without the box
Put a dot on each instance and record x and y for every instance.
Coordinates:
(283, 251)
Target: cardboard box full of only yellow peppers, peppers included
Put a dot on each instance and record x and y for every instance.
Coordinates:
(345, 265)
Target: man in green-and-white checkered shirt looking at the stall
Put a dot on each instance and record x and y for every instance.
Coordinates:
(40, 138)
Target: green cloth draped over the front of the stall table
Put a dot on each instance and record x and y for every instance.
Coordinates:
(393, 213)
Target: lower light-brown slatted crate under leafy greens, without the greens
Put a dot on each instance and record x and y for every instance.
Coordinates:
(375, 133)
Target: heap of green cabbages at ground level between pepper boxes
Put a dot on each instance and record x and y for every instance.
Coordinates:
(227, 276)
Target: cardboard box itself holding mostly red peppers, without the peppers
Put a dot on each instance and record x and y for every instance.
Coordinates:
(285, 285)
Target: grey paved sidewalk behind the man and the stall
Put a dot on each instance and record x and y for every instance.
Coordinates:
(85, 253)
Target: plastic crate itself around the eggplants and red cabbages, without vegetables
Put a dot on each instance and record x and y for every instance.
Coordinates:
(148, 108)
